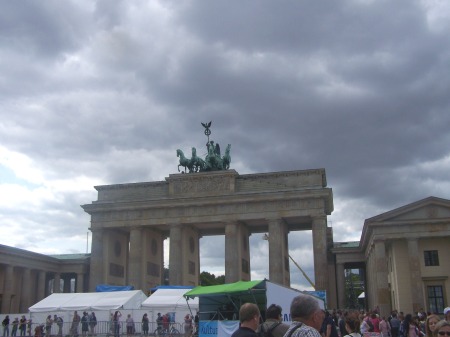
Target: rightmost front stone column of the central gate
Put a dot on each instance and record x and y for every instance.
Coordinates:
(319, 233)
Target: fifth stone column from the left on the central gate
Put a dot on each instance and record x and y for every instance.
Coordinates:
(278, 252)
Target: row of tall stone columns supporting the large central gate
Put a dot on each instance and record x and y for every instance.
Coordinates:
(135, 256)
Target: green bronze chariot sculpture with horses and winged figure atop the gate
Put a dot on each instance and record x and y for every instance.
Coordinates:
(213, 160)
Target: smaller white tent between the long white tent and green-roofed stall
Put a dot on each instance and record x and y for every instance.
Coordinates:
(171, 301)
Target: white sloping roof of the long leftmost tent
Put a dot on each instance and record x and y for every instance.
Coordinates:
(90, 301)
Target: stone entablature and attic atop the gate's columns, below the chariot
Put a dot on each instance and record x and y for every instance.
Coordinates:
(212, 197)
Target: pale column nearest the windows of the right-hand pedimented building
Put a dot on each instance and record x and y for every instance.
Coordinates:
(414, 271)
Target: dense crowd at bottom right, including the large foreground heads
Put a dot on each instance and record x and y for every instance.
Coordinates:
(309, 320)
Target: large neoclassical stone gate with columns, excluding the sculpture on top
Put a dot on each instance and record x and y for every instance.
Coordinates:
(129, 223)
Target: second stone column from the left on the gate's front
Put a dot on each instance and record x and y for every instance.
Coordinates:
(135, 258)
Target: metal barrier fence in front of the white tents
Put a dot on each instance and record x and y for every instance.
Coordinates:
(105, 328)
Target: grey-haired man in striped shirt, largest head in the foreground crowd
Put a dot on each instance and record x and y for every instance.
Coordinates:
(307, 317)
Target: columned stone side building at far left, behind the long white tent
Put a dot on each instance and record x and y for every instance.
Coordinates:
(27, 277)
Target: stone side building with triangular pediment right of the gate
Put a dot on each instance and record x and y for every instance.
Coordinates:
(405, 255)
